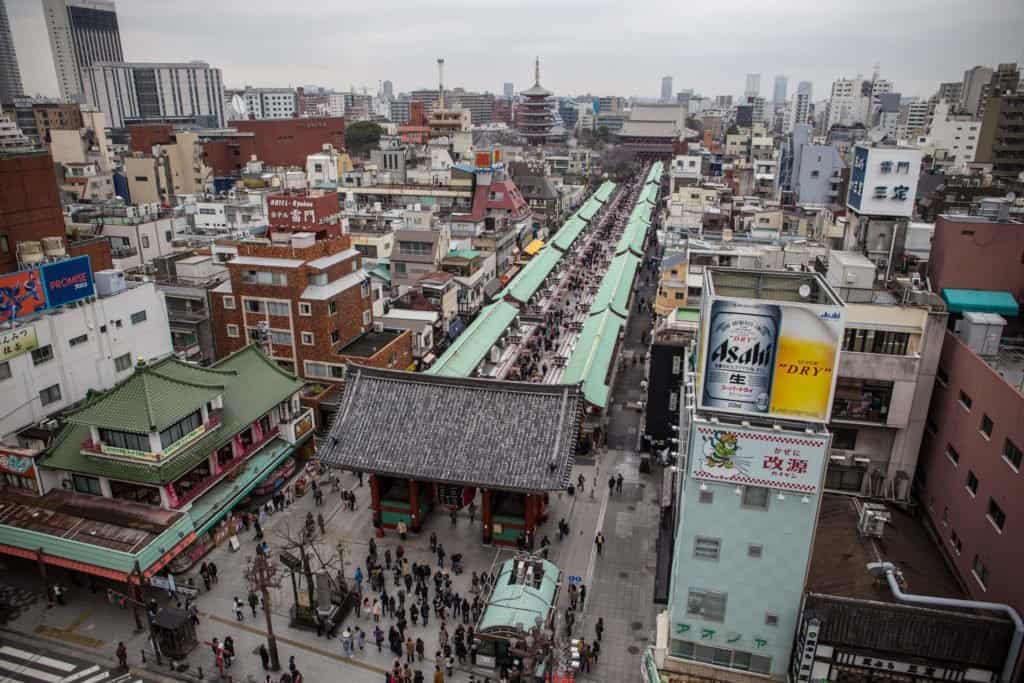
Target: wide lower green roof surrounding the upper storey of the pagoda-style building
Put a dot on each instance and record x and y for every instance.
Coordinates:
(252, 386)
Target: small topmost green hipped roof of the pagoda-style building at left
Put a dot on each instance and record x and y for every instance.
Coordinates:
(153, 399)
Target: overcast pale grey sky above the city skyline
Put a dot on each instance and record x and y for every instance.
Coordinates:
(599, 47)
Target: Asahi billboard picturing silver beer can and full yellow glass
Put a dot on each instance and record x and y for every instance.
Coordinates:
(770, 360)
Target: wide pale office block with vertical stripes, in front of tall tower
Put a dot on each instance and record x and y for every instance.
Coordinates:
(189, 93)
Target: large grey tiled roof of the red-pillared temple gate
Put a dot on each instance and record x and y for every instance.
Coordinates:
(508, 436)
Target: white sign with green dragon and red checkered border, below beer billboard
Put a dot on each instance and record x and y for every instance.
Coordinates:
(789, 460)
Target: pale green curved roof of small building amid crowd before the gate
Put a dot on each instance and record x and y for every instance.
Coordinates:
(519, 604)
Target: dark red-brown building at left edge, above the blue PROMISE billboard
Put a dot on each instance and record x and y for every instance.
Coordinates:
(30, 203)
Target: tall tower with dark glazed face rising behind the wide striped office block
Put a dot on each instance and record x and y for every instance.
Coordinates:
(82, 33)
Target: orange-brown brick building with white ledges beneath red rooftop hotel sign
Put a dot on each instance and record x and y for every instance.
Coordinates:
(315, 304)
